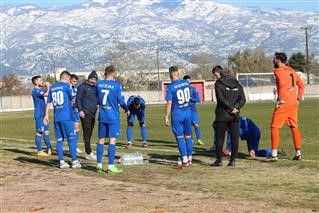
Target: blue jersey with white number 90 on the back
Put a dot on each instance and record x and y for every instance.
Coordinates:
(179, 92)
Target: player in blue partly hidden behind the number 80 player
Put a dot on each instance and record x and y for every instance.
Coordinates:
(76, 116)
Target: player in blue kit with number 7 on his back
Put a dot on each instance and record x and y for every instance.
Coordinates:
(109, 93)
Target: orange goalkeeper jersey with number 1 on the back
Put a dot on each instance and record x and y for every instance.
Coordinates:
(289, 85)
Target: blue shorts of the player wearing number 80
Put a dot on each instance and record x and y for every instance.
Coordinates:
(64, 129)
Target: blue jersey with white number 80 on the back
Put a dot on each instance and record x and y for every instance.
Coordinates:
(60, 95)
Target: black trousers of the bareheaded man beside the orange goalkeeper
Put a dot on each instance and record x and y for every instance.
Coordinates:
(220, 130)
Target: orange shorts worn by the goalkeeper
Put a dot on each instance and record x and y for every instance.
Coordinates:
(285, 113)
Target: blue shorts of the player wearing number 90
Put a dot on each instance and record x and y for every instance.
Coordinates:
(182, 126)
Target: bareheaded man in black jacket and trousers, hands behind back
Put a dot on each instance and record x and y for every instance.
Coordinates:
(230, 98)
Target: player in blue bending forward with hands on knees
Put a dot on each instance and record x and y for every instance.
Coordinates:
(136, 105)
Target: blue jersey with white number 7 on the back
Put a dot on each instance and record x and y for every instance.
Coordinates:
(109, 97)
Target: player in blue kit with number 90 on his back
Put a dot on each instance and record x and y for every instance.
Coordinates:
(178, 95)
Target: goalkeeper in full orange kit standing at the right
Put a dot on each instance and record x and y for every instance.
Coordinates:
(290, 90)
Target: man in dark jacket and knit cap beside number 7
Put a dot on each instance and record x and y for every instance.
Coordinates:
(86, 102)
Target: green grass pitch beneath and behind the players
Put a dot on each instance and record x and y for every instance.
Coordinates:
(290, 184)
